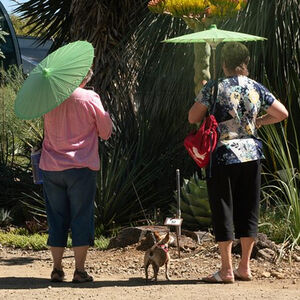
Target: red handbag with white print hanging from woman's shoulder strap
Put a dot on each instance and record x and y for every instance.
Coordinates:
(200, 145)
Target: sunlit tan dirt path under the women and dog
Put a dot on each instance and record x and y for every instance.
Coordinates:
(118, 275)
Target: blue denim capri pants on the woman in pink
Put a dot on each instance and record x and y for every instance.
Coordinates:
(69, 197)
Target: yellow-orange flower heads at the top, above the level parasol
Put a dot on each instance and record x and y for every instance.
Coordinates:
(197, 8)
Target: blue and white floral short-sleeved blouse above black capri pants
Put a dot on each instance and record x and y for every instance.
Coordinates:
(239, 101)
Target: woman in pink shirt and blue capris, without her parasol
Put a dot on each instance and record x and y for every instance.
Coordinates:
(69, 164)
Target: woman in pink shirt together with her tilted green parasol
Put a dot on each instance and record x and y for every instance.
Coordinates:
(74, 119)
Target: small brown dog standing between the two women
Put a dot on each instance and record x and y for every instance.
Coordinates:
(158, 256)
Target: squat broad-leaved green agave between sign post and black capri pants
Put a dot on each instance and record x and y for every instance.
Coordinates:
(194, 203)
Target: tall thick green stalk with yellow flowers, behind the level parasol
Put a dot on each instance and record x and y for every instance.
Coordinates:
(198, 15)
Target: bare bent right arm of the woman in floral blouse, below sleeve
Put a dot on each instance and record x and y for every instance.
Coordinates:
(275, 113)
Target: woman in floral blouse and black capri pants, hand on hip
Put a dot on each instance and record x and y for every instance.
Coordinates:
(234, 181)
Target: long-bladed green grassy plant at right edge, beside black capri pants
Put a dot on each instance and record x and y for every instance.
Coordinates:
(282, 186)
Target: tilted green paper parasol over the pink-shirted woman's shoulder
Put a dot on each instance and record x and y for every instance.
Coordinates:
(54, 79)
